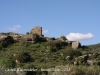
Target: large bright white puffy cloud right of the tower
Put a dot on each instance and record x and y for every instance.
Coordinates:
(79, 36)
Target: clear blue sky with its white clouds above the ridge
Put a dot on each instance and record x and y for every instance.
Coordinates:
(75, 19)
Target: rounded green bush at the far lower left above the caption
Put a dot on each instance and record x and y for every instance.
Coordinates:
(7, 63)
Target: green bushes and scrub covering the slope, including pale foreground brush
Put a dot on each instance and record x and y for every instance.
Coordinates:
(49, 54)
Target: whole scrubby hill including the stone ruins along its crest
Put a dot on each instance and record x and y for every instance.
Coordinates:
(33, 50)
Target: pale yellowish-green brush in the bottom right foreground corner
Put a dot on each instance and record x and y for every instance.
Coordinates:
(77, 70)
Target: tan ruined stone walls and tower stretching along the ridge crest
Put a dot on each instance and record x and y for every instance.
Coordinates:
(35, 35)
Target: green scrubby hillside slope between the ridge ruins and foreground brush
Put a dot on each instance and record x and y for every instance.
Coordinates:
(47, 55)
